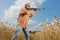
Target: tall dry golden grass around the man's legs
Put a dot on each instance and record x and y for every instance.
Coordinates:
(49, 33)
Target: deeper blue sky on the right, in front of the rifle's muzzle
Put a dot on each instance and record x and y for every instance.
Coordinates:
(51, 7)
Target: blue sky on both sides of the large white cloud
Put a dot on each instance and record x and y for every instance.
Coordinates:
(51, 6)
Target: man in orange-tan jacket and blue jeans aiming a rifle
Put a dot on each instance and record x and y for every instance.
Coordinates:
(24, 15)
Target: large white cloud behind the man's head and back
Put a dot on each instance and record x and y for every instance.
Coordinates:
(12, 12)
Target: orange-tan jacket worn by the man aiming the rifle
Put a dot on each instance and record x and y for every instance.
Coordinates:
(23, 17)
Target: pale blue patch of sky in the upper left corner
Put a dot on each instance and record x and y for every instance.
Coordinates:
(5, 4)
